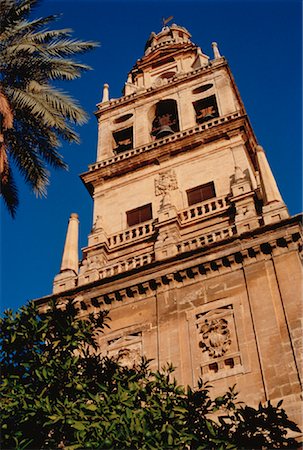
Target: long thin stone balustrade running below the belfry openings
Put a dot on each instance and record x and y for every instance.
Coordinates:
(165, 140)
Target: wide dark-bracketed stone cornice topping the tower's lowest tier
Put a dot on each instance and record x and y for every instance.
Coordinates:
(229, 255)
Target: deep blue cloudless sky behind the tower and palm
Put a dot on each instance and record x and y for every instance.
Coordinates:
(262, 41)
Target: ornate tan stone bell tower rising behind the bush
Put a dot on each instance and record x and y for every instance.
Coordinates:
(192, 248)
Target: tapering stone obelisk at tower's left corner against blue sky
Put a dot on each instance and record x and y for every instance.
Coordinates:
(70, 259)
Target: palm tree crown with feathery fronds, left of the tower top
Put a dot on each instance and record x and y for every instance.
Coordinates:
(35, 116)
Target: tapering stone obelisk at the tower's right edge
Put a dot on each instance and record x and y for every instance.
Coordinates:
(269, 186)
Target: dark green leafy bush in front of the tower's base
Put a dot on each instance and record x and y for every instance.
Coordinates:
(56, 392)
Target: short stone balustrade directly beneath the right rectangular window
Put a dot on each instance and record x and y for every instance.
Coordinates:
(203, 209)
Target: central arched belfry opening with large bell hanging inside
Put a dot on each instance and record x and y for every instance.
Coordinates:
(166, 120)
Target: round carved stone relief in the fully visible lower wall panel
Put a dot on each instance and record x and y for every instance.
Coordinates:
(216, 337)
